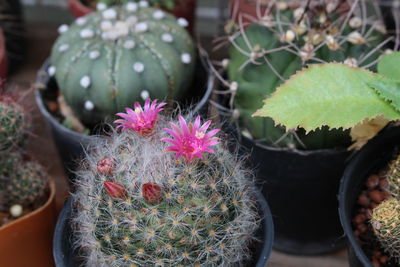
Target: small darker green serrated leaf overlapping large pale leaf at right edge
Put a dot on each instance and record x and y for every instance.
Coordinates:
(389, 90)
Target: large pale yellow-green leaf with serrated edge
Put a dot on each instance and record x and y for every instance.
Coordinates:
(332, 94)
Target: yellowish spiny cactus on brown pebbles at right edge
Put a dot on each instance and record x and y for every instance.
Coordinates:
(386, 216)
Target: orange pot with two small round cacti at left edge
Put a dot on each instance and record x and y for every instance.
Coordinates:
(27, 196)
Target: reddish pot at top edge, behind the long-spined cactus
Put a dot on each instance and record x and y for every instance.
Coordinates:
(248, 9)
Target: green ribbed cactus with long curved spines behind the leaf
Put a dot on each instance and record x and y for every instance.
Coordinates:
(286, 39)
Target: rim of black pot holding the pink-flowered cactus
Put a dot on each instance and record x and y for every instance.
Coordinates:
(264, 211)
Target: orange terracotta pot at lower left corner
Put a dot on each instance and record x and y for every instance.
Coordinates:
(27, 241)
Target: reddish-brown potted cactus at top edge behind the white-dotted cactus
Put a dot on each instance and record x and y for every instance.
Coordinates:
(185, 9)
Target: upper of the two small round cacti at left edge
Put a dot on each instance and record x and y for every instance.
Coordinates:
(13, 123)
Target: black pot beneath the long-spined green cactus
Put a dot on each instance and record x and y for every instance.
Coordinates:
(301, 189)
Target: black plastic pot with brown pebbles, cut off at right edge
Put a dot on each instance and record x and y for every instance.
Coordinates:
(374, 156)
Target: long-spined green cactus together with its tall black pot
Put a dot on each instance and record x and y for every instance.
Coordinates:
(263, 55)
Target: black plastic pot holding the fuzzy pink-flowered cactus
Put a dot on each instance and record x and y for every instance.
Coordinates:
(65, 255)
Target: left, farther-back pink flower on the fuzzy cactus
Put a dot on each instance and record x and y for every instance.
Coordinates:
(140, 120)
